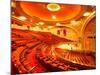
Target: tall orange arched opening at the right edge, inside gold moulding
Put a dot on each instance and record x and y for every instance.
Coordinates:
(89, 36)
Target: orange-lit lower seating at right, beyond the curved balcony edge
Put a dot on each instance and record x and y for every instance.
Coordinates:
(77, 57)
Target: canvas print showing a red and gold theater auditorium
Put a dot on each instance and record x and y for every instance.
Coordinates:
(52, 37)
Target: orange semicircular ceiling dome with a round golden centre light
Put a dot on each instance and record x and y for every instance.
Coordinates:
(50, 12)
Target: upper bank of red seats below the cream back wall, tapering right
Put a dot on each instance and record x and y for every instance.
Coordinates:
(43, 36)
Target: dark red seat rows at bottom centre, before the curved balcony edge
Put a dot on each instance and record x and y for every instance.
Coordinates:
(54, 64)
